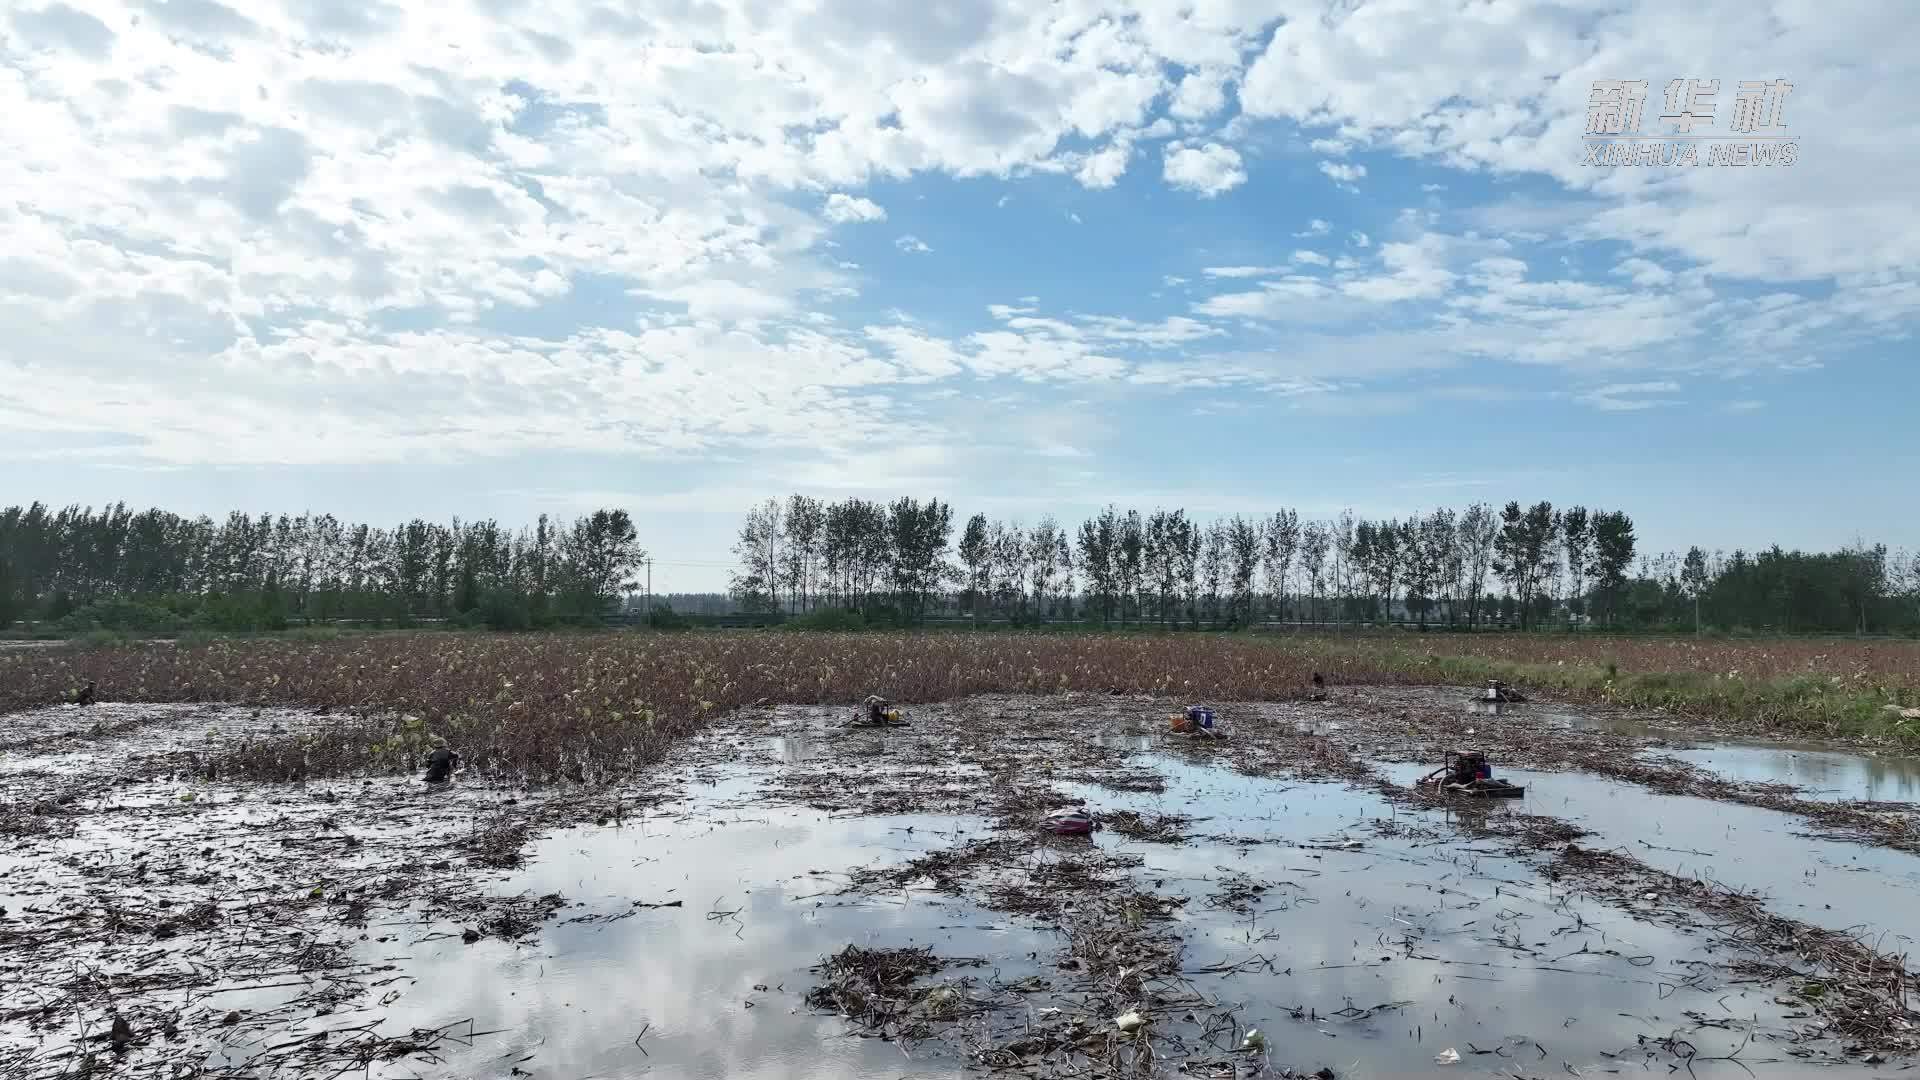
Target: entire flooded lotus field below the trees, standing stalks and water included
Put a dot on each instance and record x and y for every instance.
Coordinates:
(669, 856)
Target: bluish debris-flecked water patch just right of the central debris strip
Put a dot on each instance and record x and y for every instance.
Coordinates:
(1479, 950)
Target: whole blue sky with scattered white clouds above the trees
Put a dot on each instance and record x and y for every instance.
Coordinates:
(496, 258)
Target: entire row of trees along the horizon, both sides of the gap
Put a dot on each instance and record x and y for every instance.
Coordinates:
(907, 560)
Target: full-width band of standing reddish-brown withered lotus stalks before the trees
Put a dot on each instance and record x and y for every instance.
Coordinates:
(598, 706)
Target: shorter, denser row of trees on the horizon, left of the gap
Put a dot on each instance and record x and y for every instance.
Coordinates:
(156, 570)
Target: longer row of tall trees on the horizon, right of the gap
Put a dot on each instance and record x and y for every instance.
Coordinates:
(1522, 566)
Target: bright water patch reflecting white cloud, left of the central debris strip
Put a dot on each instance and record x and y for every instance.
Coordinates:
(713, 989)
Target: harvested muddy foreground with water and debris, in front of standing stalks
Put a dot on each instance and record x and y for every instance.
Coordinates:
(796, 898)
